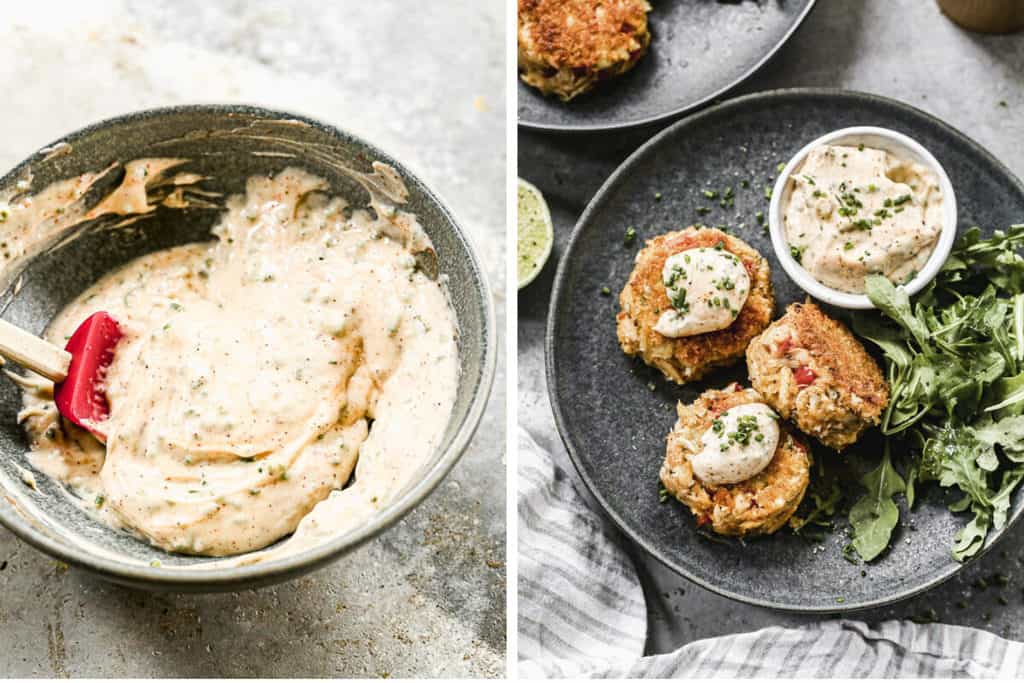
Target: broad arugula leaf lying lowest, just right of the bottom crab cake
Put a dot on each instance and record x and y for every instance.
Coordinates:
(875, 517)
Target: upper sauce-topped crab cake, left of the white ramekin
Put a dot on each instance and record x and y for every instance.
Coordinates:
(705, 318)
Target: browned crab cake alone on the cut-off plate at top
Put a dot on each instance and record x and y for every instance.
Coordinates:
(568, 47)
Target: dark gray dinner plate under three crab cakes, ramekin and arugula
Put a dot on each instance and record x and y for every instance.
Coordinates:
(614, 412)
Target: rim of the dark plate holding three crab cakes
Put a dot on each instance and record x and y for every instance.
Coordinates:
(592, 208)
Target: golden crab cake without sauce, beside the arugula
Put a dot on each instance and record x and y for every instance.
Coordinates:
(814, 371)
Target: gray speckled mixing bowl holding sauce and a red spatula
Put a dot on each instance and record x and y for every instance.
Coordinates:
(220, 142)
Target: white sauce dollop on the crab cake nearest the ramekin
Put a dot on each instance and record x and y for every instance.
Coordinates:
(707, 288)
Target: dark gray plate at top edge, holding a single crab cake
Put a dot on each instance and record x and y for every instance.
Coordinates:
(700, 51)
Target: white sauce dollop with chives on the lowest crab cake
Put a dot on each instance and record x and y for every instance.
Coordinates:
(740, 445)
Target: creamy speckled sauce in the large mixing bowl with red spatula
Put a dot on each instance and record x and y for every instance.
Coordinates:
(258, 373)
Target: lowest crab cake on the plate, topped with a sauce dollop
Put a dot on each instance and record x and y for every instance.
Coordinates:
(744, 475)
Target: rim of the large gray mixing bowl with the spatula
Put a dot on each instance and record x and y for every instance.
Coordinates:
(262, 574)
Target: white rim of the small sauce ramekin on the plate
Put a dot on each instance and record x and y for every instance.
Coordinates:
(895, 139)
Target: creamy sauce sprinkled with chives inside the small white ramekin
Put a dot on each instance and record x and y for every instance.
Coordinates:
(858, 211)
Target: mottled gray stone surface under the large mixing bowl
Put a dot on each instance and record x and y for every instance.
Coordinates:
(428, 599)
